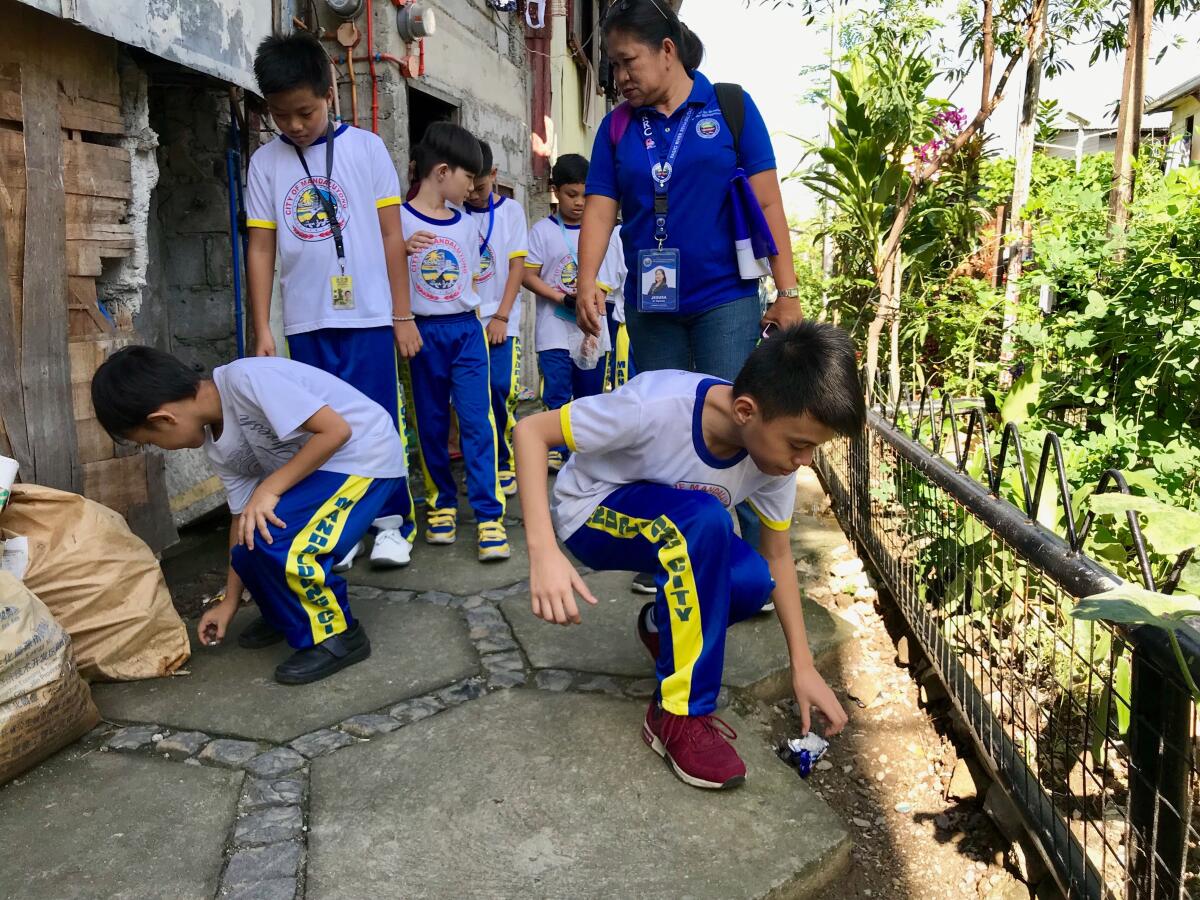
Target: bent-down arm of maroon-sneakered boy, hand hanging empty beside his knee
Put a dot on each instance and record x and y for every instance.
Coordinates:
(554, 581)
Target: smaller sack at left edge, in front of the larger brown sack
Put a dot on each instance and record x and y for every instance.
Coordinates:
(44, 704)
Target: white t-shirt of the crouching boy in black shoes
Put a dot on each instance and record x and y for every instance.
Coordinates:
(265, 400)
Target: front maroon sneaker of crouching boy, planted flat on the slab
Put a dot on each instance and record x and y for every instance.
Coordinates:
(695, 747)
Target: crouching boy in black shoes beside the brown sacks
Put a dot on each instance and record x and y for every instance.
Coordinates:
(308, 463)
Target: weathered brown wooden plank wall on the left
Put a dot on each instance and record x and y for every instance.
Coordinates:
(55, 251)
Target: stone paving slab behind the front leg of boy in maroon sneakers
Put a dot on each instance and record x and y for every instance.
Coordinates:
(607, 643)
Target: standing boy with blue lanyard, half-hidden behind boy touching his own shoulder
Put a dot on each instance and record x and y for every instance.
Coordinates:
(505, 245)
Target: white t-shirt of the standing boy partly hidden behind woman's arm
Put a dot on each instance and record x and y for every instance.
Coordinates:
(559, 265)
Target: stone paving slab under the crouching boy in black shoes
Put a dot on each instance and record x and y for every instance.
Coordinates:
(416, 647)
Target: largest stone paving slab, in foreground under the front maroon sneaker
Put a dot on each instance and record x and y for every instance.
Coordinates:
(536, 795)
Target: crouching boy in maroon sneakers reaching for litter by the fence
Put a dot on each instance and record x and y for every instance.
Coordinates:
(656, 469)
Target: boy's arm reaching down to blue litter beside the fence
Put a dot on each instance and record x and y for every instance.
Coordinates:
(807, 683)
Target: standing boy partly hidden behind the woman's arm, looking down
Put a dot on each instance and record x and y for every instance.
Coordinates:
(551, 271)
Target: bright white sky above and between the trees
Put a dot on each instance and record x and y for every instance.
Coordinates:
(765, 50)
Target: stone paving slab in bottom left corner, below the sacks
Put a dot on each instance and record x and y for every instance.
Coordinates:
(115, 826)
